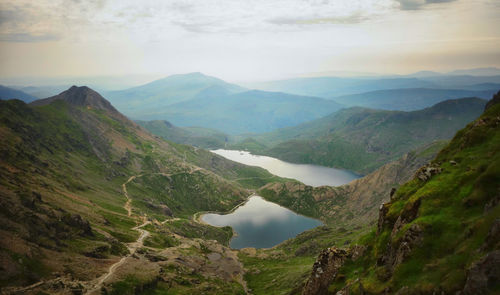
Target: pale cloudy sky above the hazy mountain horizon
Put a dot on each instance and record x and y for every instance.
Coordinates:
(245, 40)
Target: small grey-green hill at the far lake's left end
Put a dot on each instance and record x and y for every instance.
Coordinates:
(195, 136)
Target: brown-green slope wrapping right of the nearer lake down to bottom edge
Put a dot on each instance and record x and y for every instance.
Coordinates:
(348, 212)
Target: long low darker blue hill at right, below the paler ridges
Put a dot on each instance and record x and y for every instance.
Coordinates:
(410, 99)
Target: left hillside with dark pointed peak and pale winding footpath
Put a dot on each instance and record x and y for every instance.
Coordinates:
(70, 167)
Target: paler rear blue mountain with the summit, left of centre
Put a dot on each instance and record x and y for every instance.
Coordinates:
(139, 102)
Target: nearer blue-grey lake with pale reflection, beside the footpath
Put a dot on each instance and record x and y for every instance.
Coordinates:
(261, 224)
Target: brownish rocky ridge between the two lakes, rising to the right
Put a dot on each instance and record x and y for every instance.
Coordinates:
(357, 202)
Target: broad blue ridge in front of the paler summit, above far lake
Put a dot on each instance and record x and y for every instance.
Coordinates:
(249, 111)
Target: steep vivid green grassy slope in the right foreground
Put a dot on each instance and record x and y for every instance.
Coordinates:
(457, 209)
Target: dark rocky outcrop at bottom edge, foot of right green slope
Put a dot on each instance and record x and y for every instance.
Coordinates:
(324, 271)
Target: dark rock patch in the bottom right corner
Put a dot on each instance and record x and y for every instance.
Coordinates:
(484, 275)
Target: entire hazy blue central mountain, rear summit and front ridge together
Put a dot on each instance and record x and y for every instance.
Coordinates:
(199, 100)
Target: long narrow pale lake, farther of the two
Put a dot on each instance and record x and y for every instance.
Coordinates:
(313, 175)
